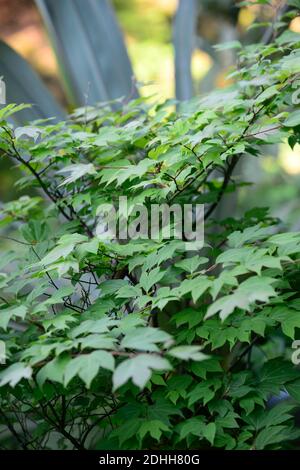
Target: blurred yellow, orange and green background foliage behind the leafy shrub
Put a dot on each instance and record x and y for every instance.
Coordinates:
(151, 28)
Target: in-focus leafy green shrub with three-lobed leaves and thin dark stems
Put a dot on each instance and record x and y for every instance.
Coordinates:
(141, 345)
